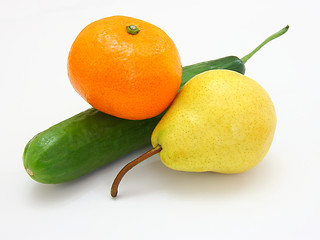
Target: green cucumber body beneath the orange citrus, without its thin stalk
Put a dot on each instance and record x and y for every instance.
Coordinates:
(92, 139)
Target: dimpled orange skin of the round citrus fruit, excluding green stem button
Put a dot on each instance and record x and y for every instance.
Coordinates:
(124, 75)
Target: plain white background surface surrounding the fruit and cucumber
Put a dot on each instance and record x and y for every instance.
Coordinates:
(278, 199)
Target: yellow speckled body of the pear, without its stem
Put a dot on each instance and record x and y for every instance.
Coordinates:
(220, 121)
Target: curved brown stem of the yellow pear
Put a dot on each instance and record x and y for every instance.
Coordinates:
(126, 168)
